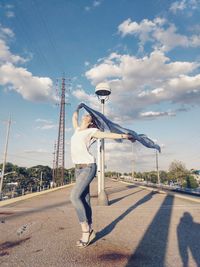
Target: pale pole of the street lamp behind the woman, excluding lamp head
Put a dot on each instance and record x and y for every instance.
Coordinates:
(102, 197)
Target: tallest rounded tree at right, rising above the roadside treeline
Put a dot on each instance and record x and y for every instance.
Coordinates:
(178, 172)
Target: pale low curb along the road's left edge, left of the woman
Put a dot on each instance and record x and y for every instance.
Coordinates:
(17, 199)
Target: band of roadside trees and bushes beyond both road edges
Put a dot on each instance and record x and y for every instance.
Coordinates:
(19, 180)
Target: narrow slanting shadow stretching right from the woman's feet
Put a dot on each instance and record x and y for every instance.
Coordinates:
(105, 231)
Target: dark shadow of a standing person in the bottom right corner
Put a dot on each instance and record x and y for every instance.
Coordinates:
(188, 233)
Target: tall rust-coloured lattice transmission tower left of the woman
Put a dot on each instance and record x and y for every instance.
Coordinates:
(60, 151)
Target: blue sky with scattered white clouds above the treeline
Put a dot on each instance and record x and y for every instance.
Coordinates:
(146, 50)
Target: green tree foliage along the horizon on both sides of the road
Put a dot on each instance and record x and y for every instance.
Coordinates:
(40, 175)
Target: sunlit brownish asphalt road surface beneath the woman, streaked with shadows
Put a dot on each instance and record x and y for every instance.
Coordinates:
(139, 228)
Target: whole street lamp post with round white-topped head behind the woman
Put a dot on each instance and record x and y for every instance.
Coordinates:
(103, 91)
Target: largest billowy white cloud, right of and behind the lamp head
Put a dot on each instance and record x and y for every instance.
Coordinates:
(137, 84)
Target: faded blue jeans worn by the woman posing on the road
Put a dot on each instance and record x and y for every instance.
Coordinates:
(80, 194)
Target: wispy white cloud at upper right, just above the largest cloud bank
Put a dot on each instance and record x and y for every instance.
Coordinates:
(162, 34)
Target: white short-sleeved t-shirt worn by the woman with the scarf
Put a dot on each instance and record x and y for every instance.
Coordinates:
(80, 145)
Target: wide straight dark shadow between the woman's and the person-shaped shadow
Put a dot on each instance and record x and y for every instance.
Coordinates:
(152, 248)
